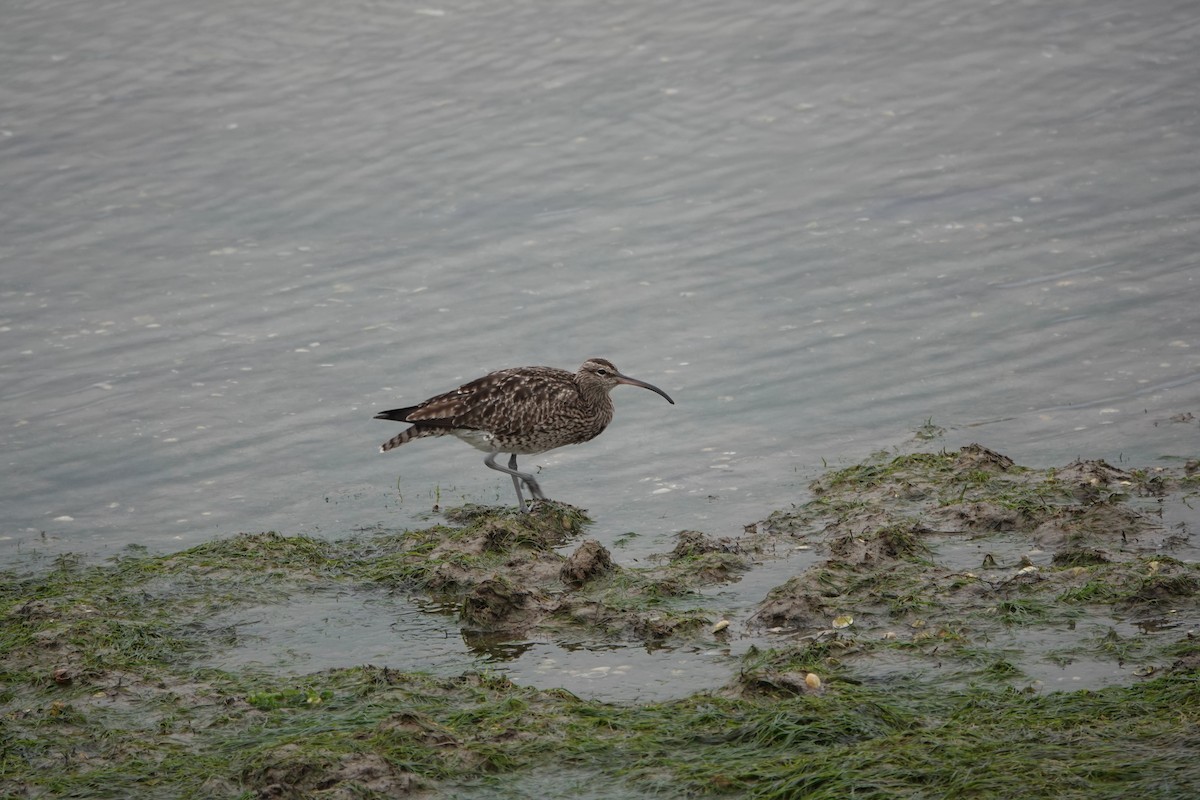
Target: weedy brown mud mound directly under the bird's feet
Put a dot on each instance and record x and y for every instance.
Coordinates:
(512, 574)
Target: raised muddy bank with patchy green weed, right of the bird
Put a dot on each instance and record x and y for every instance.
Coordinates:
(965, 566)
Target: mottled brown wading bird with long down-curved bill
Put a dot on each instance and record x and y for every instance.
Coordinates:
(521, 412)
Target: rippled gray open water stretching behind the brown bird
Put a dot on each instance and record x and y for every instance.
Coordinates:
(232, 232)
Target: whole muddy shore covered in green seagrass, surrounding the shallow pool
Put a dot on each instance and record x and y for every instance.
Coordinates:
(899, 663)
